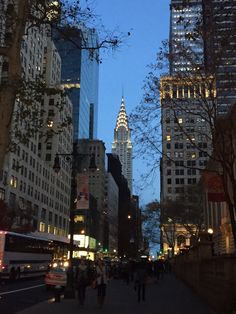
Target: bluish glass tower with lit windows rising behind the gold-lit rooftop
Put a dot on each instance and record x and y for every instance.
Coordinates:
(186, 47)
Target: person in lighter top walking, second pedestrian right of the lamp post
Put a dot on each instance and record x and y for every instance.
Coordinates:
(101, 282)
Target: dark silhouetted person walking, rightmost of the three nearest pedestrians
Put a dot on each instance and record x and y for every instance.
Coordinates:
(140, 280)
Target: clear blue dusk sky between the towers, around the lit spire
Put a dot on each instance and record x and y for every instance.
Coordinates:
(125, 69)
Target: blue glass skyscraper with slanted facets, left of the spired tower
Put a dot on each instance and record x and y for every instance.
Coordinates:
(80, 78)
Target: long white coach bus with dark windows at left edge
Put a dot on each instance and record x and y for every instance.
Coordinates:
(26, 256)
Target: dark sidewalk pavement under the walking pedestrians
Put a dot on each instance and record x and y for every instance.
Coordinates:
(169, 296)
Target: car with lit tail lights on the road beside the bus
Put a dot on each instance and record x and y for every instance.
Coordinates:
(56, 277)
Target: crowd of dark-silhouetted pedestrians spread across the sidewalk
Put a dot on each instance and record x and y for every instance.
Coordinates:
(96, 274)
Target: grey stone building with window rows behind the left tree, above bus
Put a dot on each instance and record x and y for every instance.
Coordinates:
(38, 197)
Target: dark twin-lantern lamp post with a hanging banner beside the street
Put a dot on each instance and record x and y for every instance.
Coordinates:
(74, 158)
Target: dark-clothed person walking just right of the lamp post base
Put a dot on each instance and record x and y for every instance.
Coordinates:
(82, 280)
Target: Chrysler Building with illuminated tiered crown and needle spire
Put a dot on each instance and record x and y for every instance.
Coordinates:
(122, 145)
